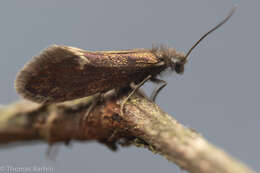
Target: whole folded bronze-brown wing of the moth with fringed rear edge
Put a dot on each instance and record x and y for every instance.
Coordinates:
(63, 73)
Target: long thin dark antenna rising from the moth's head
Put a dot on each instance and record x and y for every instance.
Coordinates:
(211, 30)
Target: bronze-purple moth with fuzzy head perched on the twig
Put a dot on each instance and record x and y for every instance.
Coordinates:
(61, 73)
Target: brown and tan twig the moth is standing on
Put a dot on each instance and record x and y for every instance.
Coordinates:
(143, 124)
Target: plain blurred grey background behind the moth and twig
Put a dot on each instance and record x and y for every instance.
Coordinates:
(218, 95)
